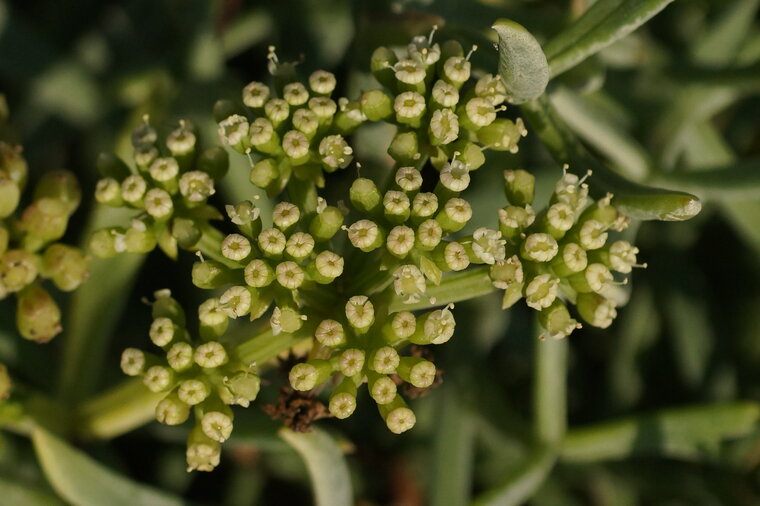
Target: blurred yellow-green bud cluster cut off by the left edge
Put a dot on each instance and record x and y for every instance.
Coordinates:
(29, 247)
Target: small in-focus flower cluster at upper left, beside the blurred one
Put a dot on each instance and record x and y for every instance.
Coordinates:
(168, 186)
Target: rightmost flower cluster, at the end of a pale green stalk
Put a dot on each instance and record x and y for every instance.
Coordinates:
(561, 252)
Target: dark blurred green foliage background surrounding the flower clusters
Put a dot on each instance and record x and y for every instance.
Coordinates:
(679, 95)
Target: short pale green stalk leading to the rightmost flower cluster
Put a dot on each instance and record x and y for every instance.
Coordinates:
(453, 288)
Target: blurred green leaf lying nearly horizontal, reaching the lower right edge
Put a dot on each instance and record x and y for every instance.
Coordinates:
(681, 433)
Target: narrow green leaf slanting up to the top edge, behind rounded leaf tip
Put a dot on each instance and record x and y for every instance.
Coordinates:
(605, 22)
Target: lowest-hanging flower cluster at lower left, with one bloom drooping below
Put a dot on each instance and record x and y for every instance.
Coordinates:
(199, 374)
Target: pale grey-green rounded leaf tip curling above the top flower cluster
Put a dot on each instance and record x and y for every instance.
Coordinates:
(522, 64)
